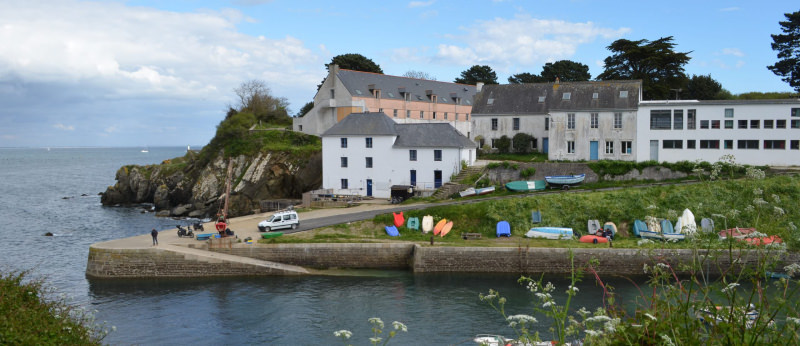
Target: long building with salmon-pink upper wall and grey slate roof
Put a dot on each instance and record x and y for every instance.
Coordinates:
(404, 100)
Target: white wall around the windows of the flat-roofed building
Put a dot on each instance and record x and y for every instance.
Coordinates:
(760, 110)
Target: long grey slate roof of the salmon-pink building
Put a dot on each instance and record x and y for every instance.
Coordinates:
(358, 84)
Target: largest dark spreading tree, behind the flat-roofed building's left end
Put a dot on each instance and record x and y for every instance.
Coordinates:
(656, 63)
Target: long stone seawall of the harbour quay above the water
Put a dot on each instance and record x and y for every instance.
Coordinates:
(293, 259)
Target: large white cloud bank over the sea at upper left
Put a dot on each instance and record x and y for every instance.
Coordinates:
(140, 51)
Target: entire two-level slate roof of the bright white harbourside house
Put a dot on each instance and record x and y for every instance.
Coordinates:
(420, 135)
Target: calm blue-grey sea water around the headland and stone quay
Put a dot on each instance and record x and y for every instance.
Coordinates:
(57, 190)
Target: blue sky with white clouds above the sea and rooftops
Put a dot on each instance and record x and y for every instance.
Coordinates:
(146, 73)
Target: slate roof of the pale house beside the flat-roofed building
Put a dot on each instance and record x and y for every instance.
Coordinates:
(525, 98)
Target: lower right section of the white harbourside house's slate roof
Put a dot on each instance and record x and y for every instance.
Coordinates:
(430, 135)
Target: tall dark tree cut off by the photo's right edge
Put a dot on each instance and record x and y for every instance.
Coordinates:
(788, 47)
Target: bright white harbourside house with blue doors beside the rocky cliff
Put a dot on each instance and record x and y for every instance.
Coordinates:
(366, 153)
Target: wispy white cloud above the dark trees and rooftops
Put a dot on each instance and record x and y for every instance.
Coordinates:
(505, 43)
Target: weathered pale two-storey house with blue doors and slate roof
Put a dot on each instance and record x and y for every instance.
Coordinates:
(570, 120)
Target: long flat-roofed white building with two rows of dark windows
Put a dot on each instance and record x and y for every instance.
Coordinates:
(755, 132)
